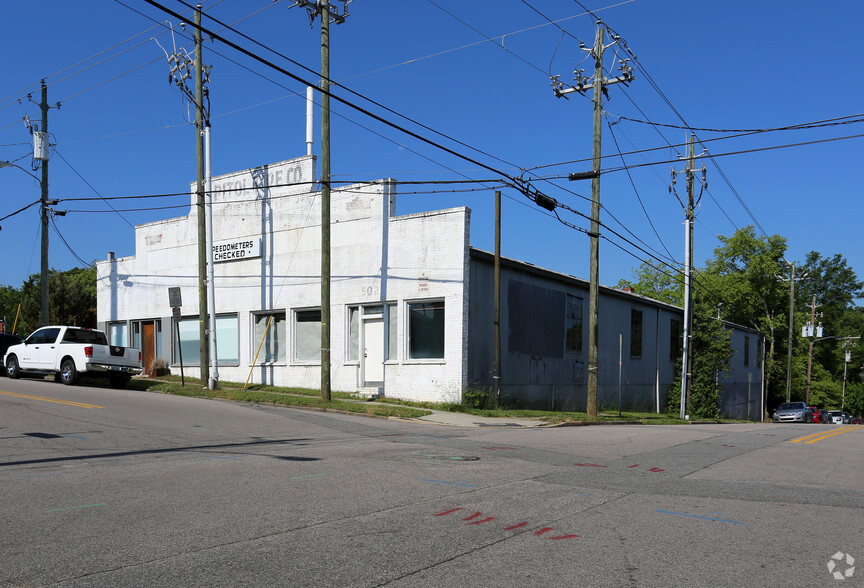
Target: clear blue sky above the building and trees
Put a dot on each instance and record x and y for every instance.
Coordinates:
(479, 74)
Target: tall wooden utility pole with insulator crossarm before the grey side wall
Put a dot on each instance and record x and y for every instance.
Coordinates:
(598, 86)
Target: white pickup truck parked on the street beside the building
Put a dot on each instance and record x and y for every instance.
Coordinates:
(68, 352)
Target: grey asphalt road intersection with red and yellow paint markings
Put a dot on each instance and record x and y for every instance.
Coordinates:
(122, 488)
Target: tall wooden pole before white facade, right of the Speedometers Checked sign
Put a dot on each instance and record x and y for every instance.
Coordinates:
(324, 8)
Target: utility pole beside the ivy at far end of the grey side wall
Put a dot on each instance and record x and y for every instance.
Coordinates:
(690, 214)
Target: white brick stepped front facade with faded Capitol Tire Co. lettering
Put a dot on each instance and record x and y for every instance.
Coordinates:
(398, 287)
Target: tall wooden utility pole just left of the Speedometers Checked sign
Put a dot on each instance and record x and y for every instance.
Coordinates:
(203, 338)
